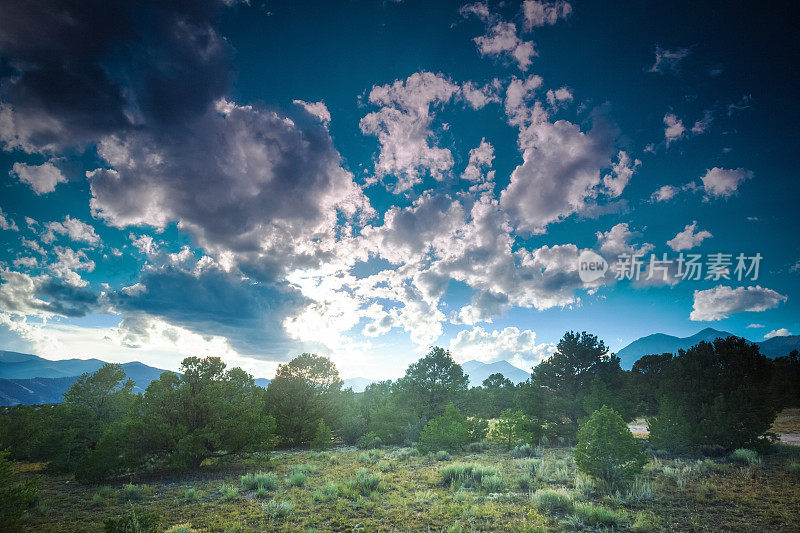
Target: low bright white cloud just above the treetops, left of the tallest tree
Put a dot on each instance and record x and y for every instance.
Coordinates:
(511, 344)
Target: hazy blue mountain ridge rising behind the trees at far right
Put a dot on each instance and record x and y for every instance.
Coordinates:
(661, 343)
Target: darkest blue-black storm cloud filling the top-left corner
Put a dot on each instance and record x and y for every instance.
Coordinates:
(84, 69)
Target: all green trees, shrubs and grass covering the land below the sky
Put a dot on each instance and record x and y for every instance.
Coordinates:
(430, 452)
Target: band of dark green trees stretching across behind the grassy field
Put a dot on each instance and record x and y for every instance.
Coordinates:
(712, 398)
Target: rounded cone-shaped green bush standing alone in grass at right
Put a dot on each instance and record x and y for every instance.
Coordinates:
(607, 449)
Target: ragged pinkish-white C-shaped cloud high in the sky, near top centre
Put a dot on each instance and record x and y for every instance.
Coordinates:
(402, 126)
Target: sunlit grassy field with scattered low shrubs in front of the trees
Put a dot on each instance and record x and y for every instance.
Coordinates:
(393, 489)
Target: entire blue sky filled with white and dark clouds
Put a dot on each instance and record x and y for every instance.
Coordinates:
(366, 179)
